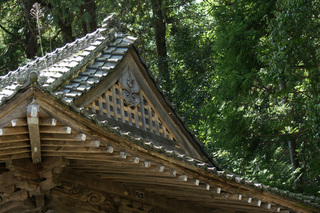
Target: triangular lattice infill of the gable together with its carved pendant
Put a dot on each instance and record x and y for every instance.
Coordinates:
(125, 102)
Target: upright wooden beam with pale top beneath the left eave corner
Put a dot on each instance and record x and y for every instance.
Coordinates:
(34, 132)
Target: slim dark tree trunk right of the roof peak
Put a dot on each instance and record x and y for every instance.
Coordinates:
(160, 34)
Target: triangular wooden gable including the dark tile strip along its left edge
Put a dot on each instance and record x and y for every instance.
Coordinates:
(109, 99)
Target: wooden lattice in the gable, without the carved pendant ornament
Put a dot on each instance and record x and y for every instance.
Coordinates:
(142, 116)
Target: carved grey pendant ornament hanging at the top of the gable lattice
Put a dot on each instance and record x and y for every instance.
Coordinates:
(130, 89)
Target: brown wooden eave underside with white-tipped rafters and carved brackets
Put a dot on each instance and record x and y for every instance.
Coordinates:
(109, 171)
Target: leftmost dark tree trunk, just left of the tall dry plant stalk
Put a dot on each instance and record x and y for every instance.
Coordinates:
(30, 31)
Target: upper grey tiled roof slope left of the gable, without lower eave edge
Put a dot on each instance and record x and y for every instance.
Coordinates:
(68, 65)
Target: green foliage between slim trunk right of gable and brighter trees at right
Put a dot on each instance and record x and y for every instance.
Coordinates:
(191, 64)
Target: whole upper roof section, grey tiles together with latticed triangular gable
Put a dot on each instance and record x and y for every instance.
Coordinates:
(104, 74)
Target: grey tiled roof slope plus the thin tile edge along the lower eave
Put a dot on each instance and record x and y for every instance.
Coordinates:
(71, 71)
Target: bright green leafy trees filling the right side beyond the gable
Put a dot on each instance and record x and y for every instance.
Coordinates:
(266, 82)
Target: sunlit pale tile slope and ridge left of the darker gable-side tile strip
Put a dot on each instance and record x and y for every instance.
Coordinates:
(49, 68)
